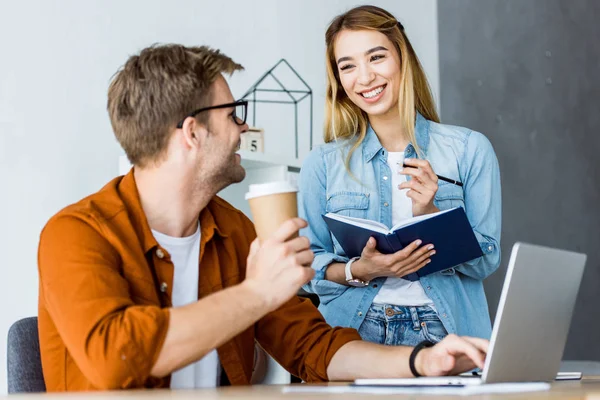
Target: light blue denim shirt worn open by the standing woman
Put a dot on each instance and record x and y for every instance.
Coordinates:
(454, 152)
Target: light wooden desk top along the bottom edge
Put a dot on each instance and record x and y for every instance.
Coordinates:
(561, 390)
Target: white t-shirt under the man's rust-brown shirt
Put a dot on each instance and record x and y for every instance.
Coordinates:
(185, 253)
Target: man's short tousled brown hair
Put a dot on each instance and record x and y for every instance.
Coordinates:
(156, 89)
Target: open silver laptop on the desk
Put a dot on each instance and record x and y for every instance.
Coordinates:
(531, 326)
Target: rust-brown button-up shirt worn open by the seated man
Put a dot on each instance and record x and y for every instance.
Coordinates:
(105, 293)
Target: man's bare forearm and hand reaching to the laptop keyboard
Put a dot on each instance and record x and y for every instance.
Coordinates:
(451, 356)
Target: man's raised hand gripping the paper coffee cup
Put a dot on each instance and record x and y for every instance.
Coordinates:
(278, 267)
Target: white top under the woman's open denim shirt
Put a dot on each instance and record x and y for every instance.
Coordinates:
(398, 291)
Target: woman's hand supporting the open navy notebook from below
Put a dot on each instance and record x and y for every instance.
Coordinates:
(373, 264)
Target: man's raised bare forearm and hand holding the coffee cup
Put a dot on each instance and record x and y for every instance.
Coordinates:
(274, 273)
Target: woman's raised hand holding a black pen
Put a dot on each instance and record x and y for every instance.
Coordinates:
(422, 187)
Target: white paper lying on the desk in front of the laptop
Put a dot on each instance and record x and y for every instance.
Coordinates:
(441, 390)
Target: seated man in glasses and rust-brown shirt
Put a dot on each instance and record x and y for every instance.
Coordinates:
(156, 282)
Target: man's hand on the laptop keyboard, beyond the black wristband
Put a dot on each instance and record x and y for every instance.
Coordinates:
(452, 356)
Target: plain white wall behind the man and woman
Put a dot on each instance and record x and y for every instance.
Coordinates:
(56, 144)
